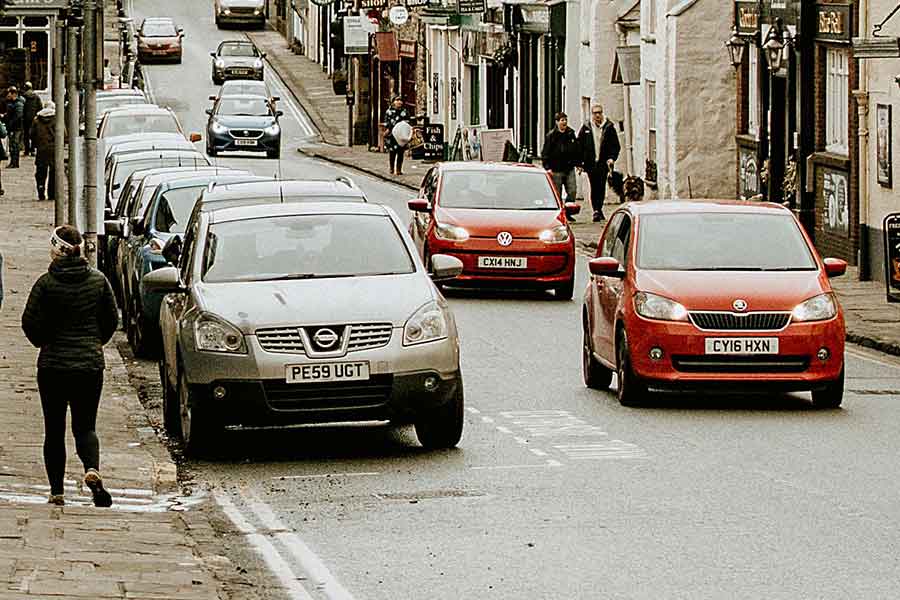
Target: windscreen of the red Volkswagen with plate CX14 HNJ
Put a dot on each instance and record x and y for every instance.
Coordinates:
(498, 190)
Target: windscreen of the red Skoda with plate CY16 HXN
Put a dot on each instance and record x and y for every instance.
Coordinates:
(722, 241)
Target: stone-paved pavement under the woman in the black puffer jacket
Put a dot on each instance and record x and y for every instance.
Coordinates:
(151, 543)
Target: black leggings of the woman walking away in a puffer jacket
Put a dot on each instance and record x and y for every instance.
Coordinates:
(81, 390)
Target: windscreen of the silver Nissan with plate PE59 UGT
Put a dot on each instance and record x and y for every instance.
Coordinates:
(305, 247)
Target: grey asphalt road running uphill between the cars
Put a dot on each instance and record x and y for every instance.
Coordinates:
(556, 491)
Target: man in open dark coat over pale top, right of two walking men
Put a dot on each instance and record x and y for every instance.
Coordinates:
(599, 150)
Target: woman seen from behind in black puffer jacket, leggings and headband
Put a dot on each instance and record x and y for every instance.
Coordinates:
(70, 315)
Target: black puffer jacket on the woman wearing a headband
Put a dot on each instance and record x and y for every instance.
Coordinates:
(71, 313)
